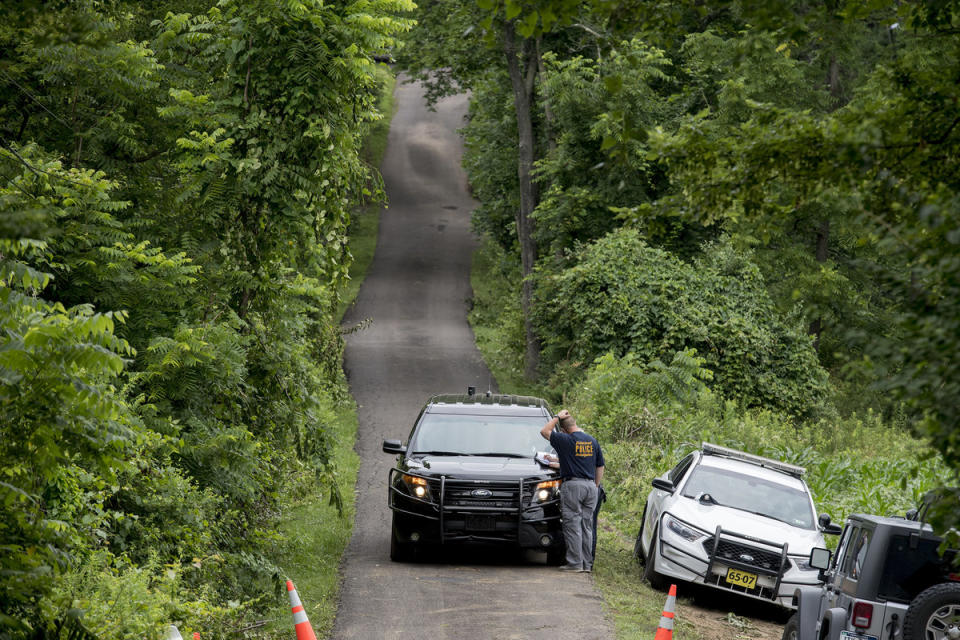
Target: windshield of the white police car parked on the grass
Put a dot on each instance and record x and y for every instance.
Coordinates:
(747, 493)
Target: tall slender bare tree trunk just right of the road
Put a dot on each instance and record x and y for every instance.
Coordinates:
(522, 65)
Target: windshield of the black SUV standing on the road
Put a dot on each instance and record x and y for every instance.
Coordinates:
(479, 435)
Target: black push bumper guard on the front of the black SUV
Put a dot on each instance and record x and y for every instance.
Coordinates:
(518, 503)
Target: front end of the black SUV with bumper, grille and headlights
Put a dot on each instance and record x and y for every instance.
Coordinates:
(448, 514)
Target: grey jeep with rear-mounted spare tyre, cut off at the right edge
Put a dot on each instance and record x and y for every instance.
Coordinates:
(887, 581)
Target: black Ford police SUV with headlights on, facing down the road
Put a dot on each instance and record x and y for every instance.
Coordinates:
(469, 473)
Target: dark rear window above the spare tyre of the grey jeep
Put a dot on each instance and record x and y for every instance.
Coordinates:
(909, 570)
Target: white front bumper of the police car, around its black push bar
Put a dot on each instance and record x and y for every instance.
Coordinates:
(708, 561)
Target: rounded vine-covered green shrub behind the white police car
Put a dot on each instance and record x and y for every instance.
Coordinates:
(625, 296)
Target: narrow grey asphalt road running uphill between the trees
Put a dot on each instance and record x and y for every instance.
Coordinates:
(418, 343)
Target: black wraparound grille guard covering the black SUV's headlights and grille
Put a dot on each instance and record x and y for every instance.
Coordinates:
(525, 490)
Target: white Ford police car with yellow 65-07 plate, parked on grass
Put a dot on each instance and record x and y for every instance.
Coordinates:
(732, 521)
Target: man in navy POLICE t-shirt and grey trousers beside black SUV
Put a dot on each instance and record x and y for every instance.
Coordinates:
(581, 468)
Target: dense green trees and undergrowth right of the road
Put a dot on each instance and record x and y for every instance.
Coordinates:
(770, 185)
